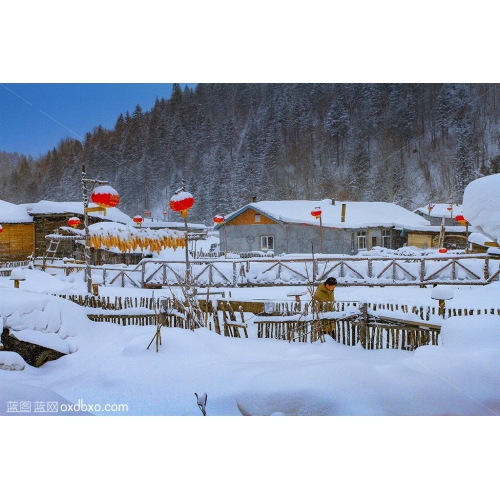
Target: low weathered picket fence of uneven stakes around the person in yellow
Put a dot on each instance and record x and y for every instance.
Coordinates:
(374, 325)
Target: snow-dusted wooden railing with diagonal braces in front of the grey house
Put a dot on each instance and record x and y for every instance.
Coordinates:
(477, 269)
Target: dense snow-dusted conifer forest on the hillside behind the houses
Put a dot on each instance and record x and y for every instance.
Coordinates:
(402, 143)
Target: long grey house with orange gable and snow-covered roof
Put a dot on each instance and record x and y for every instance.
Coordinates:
(327, 226)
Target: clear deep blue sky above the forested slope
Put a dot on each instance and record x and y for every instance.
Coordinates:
(34, 117)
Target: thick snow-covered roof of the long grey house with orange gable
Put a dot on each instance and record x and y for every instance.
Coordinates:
(357, 214)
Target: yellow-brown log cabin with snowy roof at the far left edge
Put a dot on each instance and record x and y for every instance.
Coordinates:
(17, 235)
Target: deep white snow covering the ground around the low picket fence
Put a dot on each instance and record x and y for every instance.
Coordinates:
(108, 364)
